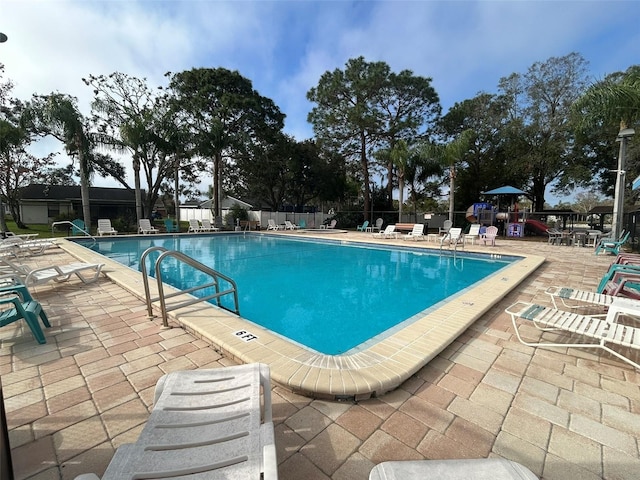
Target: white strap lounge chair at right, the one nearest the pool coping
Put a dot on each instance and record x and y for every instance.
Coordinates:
(600, 331)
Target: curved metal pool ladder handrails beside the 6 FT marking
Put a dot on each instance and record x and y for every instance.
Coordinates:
(215, 278)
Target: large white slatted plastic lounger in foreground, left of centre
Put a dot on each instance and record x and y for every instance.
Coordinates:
(204, 424)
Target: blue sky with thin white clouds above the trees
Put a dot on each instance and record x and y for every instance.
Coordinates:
(284, 47)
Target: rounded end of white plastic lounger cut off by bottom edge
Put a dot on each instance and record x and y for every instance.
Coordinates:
(463, 469)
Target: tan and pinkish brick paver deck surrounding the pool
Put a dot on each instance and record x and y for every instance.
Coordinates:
(563, 414)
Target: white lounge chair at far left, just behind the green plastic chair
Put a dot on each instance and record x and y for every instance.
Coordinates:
(86, 272)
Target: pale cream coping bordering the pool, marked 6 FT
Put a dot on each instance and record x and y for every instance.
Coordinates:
(370, 372)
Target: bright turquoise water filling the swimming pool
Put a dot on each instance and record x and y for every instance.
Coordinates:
(328, 296)
